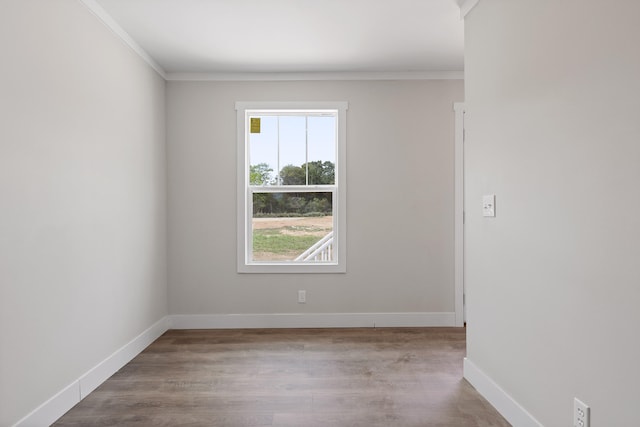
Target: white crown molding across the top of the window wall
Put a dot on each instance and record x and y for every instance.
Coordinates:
(322, 76)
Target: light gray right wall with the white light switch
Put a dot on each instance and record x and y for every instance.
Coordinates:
(553, 101)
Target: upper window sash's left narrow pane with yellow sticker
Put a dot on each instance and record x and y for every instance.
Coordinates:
(263, 151)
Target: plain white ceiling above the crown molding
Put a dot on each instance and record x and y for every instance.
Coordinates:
(294, 36)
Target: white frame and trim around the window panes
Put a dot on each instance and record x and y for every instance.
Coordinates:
(245, 195)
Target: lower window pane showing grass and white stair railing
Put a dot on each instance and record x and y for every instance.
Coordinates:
(292, 227)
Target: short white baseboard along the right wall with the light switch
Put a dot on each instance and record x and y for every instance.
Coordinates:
(503, 402)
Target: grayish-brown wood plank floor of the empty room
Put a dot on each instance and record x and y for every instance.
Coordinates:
(292, 377)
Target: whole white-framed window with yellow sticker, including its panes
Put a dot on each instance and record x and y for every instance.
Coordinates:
(291, 187)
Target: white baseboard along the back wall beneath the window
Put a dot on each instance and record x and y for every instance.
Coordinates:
(313, 320)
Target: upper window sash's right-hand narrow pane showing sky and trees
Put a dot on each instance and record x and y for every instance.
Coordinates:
(321, 149)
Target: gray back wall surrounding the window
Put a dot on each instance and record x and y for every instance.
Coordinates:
(400, 200)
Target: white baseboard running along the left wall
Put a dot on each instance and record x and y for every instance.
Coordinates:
(47, 413)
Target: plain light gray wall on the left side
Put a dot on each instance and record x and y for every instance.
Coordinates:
(82, 196)
